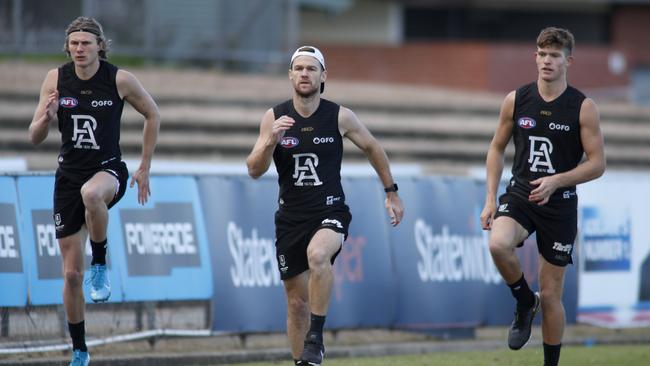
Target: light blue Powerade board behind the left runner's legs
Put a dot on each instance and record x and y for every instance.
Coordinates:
(35, 194)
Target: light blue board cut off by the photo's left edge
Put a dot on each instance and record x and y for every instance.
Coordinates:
(13, 264)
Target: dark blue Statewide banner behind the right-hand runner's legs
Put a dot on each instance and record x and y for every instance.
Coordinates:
(446, 277)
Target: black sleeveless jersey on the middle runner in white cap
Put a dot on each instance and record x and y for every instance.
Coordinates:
(308, 159)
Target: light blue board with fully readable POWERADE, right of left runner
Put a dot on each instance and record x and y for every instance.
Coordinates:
(162, 246)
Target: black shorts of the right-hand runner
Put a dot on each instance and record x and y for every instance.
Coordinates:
(556, 224)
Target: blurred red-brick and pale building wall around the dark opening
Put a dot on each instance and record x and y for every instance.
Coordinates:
(363, 43)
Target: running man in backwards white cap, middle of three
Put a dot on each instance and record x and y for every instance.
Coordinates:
(304, 137)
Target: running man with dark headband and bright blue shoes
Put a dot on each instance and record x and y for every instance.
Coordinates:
(86, 96)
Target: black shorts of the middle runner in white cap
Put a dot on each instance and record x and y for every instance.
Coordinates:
(293, 232)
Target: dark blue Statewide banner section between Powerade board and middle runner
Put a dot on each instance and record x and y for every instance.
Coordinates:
(248, 293)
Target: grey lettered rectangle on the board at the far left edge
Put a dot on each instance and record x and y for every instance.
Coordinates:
(10, 260)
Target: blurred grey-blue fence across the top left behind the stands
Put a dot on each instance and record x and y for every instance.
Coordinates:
(248, 35)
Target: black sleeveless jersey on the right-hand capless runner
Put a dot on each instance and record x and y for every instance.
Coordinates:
(547, 138)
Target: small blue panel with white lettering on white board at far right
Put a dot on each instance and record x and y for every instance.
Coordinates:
(606, 243)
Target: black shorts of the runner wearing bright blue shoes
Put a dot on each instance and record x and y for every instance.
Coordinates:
(69, 210)
